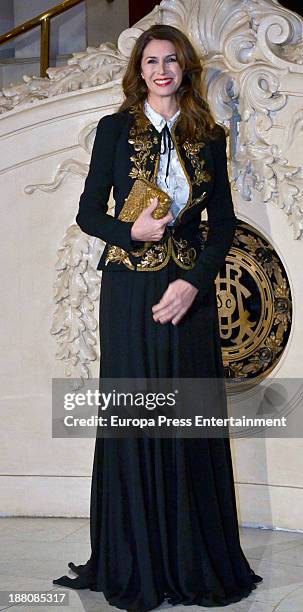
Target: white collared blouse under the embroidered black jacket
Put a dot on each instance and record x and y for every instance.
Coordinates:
(177, 185)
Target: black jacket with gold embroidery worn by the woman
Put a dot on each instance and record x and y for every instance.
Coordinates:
(124, 150)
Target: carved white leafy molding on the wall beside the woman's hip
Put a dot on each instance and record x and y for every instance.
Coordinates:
(76, 290)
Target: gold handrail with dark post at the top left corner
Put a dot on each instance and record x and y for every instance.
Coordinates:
(42, 20)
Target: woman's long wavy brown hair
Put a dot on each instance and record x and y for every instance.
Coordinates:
(195, 121)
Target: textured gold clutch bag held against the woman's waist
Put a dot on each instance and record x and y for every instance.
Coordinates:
(140, 196)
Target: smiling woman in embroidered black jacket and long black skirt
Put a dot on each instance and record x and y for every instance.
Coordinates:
(163, 510)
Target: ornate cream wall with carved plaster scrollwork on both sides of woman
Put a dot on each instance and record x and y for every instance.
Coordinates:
(253, 54)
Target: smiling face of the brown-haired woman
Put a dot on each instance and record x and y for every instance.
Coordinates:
(160, 68)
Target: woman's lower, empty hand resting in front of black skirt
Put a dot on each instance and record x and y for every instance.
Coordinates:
(175, 302)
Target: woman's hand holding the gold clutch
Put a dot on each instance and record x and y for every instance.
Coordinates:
(146, 228)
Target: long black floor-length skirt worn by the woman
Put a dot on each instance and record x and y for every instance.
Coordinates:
(163, 516)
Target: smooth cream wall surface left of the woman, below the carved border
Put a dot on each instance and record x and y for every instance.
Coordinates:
(39, 475)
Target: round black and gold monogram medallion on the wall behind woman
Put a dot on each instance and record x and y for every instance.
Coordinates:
(254, 307)
